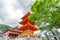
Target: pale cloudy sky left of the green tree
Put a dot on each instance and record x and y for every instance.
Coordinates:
(12, 10)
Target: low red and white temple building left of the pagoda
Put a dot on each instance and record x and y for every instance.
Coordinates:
(12, 32)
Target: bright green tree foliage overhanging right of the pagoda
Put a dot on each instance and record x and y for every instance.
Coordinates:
(47, 11)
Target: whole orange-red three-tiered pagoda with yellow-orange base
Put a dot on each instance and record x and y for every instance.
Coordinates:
(28, 27)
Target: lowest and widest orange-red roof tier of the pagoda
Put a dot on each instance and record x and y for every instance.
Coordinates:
(28, 26)
